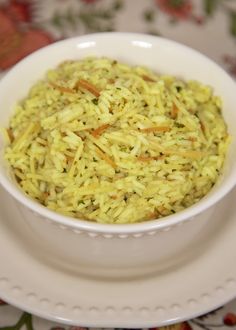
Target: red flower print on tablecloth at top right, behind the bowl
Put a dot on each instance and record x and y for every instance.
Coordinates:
(178, 9)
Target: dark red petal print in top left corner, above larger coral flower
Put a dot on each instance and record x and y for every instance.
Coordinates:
(19, 10)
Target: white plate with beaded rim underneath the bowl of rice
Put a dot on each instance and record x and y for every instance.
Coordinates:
(204, 282)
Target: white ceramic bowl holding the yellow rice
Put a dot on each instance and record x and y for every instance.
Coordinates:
(131, 249)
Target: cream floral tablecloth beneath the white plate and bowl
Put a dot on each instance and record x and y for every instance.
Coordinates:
(206, 25)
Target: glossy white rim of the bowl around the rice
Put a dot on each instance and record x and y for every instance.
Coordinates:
(129, 228)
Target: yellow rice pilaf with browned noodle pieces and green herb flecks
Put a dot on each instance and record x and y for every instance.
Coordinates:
(103, 141)
